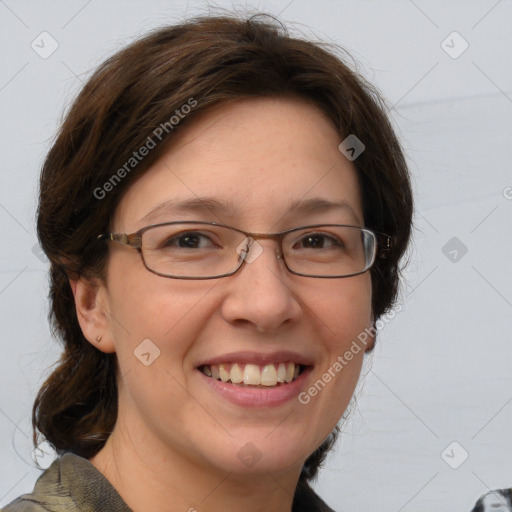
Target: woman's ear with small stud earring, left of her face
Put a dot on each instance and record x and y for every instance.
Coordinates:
(92, 310)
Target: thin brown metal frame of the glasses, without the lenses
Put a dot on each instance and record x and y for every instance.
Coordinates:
(381, 248)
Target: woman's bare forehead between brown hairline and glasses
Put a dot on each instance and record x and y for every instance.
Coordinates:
(256, 160)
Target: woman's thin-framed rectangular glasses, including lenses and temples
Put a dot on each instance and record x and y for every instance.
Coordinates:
(208, 250)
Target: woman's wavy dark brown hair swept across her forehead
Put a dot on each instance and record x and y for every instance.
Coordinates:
(133, 94)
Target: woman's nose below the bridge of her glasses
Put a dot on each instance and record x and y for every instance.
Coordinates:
(261, 293)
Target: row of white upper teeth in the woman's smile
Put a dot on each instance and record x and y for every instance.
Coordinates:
(252, 374)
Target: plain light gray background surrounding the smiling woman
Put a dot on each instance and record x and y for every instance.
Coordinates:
(441, 371)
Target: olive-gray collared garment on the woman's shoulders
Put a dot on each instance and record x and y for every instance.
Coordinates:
(73, 484)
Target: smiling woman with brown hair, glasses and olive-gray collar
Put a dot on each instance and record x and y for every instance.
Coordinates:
(224, 209)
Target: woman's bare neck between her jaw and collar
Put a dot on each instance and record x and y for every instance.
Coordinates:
(150, 475)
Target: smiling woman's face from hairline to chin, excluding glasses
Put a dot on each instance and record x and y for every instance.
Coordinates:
(258, 157)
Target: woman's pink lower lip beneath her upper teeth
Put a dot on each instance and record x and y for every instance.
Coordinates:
(258, 397)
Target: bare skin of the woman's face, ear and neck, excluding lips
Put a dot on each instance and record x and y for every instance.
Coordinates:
(175, 442)
